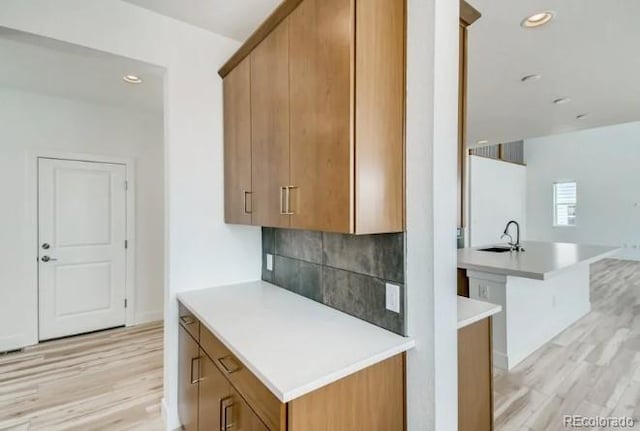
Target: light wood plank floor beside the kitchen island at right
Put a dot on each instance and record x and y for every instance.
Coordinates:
(590, 369)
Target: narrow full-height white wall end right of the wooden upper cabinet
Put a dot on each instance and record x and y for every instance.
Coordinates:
(431, 154)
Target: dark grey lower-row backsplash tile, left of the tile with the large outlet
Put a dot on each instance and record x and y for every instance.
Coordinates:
(303, 278)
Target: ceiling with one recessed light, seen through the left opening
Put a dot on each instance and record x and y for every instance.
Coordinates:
(45, 66)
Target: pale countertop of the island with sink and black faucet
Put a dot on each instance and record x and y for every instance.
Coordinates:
(539, 261)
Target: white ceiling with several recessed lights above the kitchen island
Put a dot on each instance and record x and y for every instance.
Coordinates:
(588, 53)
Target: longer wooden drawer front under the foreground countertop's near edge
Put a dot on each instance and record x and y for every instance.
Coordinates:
(270, 410)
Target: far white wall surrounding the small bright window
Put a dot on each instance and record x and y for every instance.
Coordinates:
(604, 163)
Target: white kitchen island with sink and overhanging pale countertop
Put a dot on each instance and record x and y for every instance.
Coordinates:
(542, 291)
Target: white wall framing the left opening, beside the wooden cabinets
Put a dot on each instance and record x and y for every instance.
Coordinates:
(200, 249)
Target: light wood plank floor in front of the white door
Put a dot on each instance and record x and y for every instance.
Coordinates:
(110, 380)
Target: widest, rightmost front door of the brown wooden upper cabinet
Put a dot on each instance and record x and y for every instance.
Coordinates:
(320, 41)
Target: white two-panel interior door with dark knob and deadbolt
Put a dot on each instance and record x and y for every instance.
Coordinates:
(82, 256)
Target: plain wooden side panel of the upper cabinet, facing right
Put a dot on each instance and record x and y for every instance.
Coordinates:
(379, 115)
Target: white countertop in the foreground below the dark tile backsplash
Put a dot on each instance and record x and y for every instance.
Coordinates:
(292, 344)
